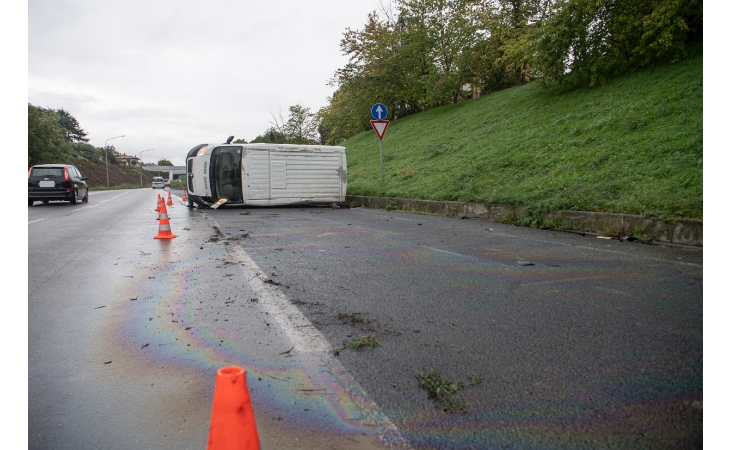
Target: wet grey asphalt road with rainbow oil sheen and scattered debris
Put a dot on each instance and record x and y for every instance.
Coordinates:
(577, 342)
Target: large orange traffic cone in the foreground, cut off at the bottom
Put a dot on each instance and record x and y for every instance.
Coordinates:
(232, 424)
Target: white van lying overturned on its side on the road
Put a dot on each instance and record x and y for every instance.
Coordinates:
(265, 174)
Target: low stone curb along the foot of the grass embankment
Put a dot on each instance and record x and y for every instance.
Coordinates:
(683, 232)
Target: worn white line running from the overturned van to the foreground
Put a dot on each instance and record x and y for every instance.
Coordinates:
(306, 338)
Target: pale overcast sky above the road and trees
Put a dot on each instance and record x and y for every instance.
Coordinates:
(169, 75)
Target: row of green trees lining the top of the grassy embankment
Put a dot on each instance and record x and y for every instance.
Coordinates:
(423, 54)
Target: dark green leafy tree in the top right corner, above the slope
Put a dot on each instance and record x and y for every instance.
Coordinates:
(595, 39)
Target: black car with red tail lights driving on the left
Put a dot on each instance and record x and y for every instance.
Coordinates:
(48, 182)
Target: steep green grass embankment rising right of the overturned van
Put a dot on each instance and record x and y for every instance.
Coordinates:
(632, 146)
